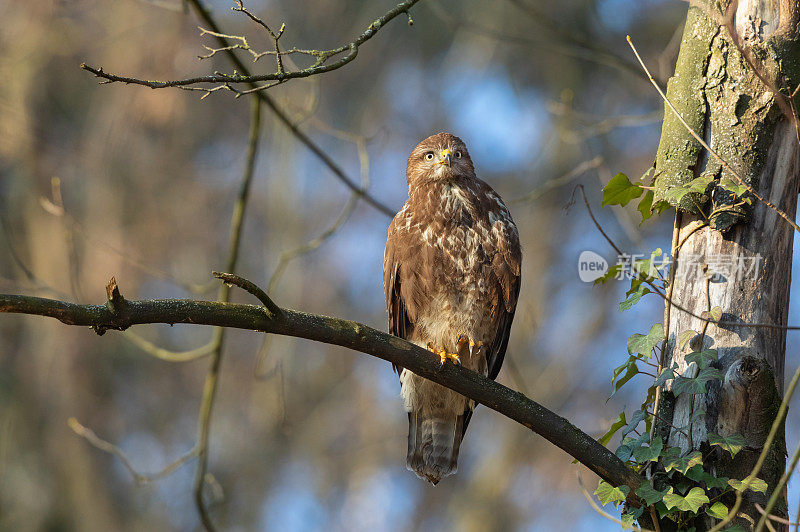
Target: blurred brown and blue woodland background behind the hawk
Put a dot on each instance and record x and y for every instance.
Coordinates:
(101, 180)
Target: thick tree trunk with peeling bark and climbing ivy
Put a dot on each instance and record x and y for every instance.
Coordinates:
(726, 254)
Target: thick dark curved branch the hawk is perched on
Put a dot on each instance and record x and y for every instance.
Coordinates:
(349, 334)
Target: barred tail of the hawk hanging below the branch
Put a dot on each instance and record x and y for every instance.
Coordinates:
(433, 443)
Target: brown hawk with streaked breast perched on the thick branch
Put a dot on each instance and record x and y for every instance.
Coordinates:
(451, 277)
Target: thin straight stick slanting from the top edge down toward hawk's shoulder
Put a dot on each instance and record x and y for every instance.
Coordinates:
(206, 17)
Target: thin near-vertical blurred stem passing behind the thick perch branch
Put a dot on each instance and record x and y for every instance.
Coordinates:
(210, 386)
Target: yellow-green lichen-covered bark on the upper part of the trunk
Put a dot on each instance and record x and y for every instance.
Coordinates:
(723, 100)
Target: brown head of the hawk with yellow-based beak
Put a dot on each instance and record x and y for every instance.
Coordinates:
(440, 157)
